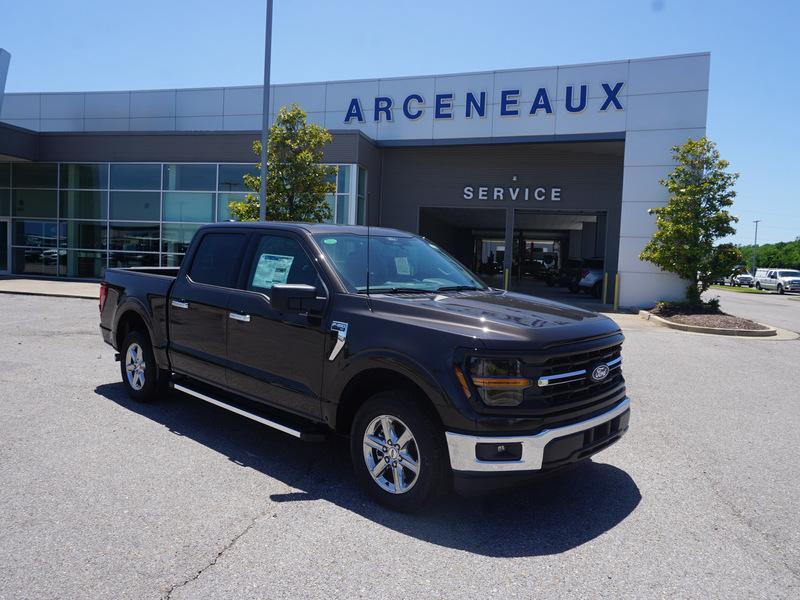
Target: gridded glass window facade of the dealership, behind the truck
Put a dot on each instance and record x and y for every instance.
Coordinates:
(77, 219)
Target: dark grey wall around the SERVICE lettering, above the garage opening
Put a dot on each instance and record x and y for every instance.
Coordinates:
(588, 173)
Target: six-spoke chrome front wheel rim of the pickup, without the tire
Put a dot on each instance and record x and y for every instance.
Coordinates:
(391, 454)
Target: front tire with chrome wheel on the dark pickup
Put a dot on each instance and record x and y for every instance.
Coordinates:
(398, 451)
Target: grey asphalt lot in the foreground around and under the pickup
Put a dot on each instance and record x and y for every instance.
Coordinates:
(101, 497)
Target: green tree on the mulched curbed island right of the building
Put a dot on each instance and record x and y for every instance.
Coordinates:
(696, 216)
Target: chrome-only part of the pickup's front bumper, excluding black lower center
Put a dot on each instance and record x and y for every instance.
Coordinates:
(462, 447)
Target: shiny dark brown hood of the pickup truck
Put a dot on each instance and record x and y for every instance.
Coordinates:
(499, 319)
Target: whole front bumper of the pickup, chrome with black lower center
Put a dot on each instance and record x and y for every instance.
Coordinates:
(567, 444)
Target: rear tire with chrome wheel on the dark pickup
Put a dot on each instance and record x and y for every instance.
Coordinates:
(142, 378)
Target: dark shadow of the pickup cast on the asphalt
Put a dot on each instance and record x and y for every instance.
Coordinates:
(555, 515)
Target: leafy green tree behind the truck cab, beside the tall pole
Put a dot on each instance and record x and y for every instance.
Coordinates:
(297, 181)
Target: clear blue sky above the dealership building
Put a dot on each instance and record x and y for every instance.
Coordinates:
(755, 79)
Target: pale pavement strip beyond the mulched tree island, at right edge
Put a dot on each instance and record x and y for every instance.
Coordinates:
(771, 308)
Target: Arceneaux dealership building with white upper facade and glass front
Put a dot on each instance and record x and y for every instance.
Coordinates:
(511, 171)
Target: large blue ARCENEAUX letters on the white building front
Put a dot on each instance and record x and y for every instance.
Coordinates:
(384, 108)
